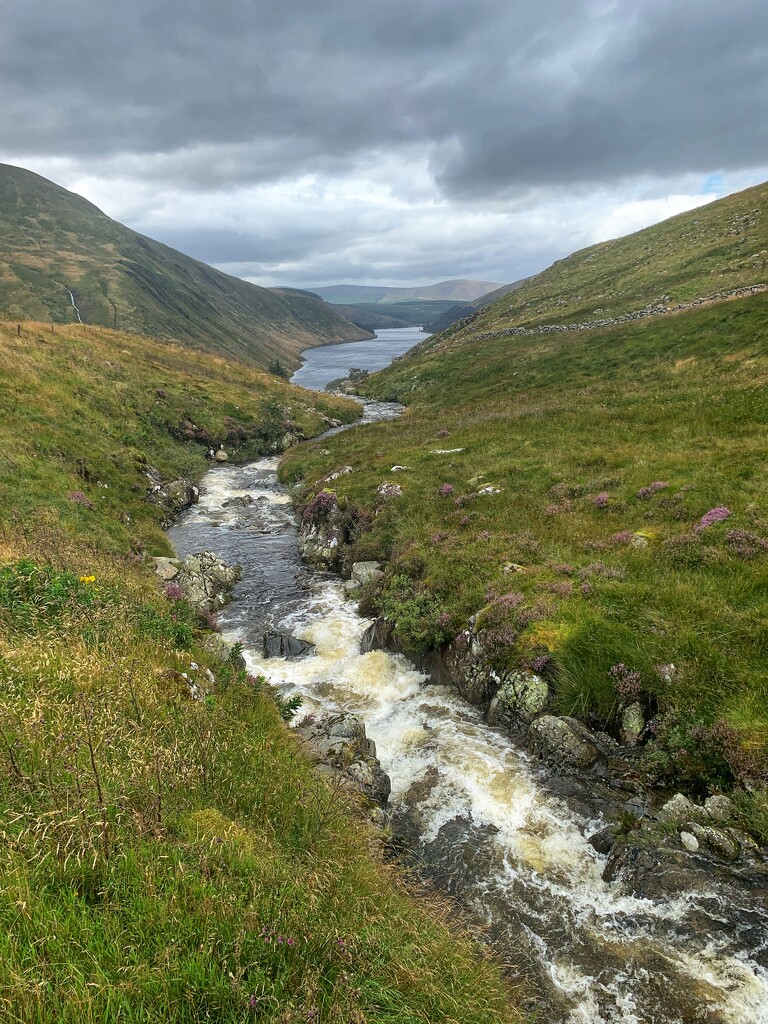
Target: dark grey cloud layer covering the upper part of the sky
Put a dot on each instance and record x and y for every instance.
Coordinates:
(503, 96)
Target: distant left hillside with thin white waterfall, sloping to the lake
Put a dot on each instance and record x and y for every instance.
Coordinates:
(54, 242)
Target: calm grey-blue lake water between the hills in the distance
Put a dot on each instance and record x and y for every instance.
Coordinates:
(329, 363)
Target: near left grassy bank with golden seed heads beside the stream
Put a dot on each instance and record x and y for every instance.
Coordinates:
(164, 859)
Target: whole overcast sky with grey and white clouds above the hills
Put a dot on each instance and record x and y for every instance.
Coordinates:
(311, 143)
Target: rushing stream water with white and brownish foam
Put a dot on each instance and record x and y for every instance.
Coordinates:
(486, 827)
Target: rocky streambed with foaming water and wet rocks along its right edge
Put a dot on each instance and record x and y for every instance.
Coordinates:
(607, 930)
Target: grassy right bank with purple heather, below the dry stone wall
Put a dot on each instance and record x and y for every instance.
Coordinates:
(625, 530)
